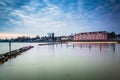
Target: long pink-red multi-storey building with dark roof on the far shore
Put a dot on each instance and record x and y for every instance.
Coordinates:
(100, 35)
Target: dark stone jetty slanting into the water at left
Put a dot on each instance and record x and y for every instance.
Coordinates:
(14, 53)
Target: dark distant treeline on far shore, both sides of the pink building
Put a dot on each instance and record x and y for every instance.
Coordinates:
(111, 36)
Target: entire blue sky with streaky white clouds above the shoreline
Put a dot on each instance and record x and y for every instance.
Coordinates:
(63, 17)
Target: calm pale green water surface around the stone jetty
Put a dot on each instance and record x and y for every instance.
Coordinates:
(62, 62)
